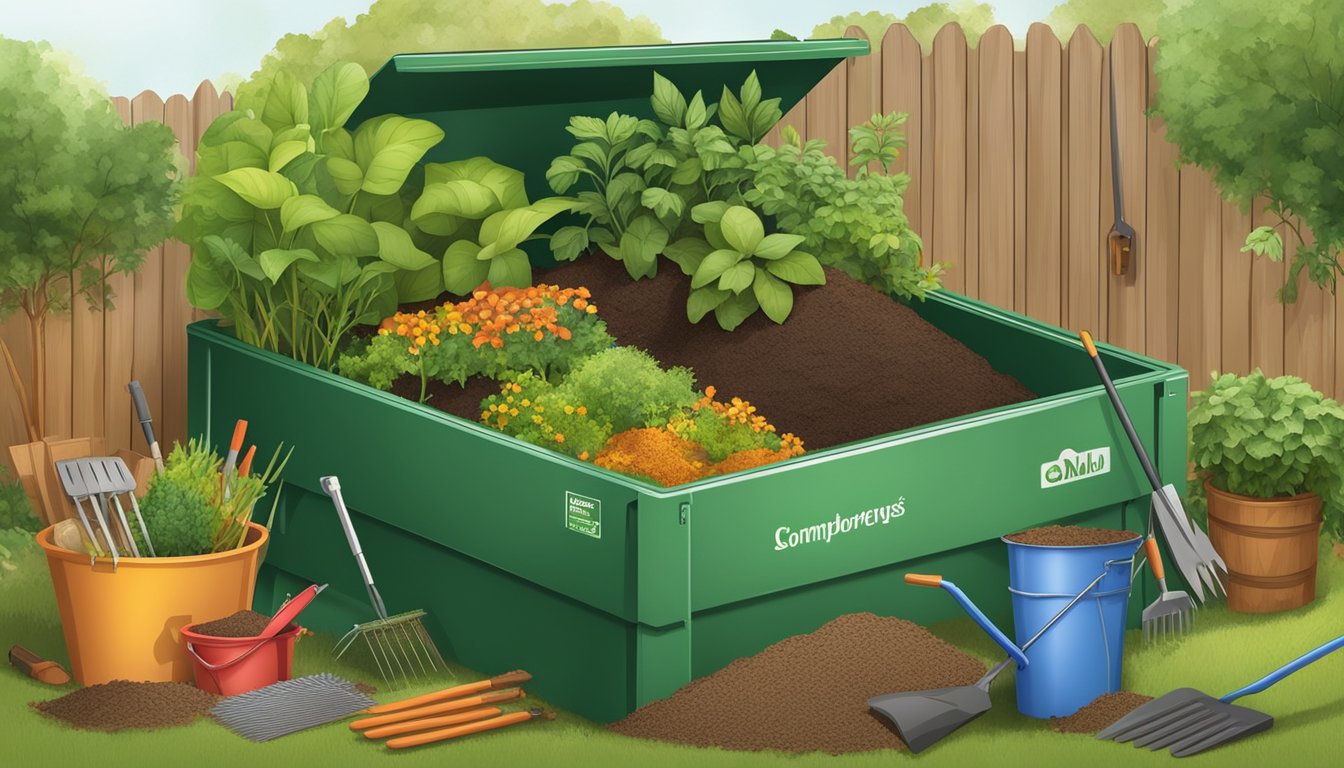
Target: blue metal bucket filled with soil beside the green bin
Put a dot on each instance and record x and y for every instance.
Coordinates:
(1080, 658)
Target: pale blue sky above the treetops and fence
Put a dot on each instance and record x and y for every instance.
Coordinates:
(170, 46)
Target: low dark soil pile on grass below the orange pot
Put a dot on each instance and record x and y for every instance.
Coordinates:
(122, 704)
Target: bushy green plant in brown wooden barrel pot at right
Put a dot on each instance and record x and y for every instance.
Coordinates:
(1272, 457)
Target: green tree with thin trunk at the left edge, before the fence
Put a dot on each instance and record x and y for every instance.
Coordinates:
(83, 196)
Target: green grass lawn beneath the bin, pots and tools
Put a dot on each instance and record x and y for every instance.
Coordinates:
(1222, 654)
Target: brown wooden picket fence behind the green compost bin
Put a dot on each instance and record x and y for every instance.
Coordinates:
(1009, 155)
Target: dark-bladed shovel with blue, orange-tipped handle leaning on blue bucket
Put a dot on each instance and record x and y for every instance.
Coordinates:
(924, 718)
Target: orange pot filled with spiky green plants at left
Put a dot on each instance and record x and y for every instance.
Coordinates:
(122, 618)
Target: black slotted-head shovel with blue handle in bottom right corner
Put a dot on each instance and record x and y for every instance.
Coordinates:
(1190, 722)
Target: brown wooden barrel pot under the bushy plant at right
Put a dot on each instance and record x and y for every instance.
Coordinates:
(1271, 548)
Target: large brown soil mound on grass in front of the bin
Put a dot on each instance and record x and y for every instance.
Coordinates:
(808, 693)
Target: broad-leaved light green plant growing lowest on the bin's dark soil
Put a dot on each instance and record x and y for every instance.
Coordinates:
(736, 258)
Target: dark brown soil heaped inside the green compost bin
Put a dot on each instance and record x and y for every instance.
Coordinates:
(847, 365)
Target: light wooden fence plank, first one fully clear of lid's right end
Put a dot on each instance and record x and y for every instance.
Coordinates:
(901, 92)
